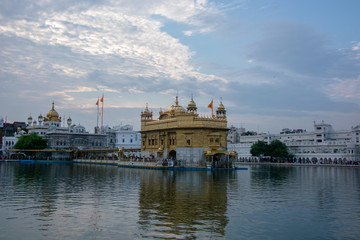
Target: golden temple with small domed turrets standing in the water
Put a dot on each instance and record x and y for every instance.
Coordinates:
(183, 135)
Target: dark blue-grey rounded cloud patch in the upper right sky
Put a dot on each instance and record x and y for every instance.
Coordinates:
(295, 47)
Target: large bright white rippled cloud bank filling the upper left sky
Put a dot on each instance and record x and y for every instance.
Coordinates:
(106, 44)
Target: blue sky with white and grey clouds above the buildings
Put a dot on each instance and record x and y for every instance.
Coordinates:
(274, 63)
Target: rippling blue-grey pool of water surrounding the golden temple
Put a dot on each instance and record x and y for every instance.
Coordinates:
(64, 201)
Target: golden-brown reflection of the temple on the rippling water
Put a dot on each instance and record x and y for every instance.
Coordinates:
(176, 204)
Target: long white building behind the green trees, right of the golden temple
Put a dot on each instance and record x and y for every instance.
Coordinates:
(323, 145)
